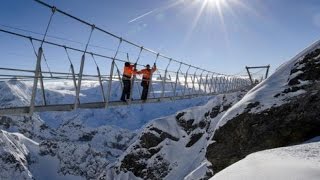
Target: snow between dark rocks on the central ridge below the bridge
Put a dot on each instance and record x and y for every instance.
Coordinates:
(181, 159)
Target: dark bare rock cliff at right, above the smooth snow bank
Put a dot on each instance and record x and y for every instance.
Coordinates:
(293, 118)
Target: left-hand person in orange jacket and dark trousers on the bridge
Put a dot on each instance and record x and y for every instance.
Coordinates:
(128, 71)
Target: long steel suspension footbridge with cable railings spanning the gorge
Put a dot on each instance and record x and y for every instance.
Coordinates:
(173, 80)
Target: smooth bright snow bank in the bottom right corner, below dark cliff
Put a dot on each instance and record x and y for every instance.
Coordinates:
(294, 162)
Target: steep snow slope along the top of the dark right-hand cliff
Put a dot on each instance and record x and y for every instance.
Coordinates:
(288, 81)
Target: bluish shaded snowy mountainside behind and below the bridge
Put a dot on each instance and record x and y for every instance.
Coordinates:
(80, 143)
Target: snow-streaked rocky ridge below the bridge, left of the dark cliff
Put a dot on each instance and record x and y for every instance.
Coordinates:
(172, 147)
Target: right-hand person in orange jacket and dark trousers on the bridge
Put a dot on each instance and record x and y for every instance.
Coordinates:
(146, 75)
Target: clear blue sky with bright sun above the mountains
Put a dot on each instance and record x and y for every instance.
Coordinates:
(219, 35)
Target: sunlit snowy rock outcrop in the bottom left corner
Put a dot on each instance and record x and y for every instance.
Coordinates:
(26, 153)
